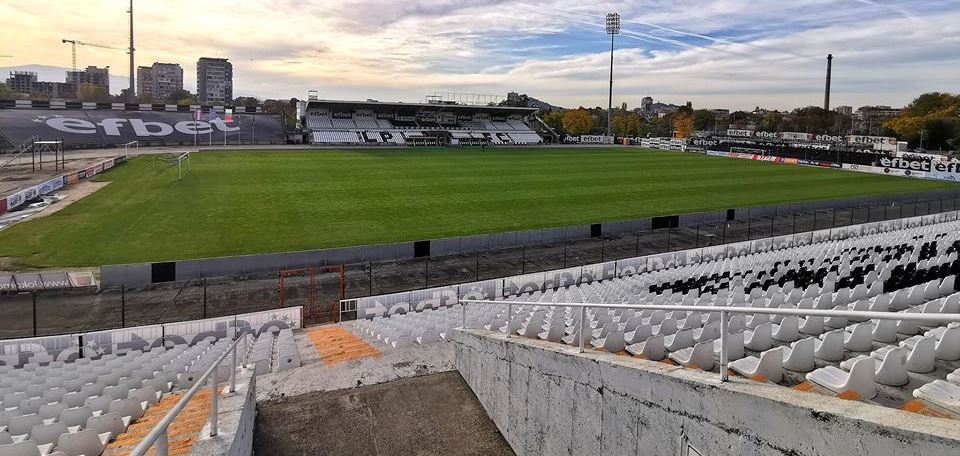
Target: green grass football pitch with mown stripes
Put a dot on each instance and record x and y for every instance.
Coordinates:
(254, 202)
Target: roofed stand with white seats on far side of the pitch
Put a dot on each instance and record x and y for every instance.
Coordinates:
(345, 122)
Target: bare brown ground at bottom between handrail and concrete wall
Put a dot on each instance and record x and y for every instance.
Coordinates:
(432, 415)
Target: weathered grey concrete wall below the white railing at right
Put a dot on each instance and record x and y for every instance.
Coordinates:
(547, 400)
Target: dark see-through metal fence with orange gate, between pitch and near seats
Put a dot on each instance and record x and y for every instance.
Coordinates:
(46, 312)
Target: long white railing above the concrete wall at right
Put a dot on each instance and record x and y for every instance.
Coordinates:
(852, 314)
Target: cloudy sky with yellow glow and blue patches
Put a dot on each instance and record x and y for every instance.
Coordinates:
(735, 54)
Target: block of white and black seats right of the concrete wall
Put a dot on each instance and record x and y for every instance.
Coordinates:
(910, 270)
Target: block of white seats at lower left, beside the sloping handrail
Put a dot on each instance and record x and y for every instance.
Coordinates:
(78, 405)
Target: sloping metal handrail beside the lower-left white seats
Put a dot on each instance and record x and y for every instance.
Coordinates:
(159, 435)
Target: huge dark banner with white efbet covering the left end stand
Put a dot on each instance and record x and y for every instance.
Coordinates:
(79, 127)
